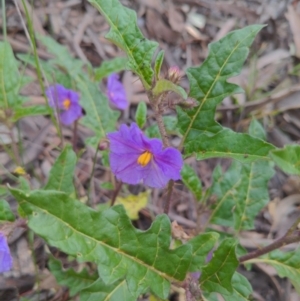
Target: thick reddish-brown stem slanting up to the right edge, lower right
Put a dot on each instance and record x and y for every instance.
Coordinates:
(285, 240)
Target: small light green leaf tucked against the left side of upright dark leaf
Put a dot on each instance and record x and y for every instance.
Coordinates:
(202, 244)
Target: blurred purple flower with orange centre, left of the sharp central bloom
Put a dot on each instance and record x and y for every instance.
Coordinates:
(65, 100)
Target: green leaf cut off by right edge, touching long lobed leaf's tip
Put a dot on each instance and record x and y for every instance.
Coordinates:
(287, 159)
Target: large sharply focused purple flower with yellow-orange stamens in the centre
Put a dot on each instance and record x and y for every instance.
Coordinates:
(135, 157)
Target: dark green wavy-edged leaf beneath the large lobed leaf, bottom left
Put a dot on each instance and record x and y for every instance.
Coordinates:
(76, 282)
